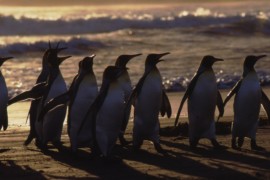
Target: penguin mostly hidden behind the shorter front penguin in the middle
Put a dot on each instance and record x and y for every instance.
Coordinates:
(125, 83)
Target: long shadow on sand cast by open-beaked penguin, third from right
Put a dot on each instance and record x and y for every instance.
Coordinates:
(179, 163)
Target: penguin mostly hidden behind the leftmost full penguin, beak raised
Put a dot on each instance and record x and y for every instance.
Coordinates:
(32, 115)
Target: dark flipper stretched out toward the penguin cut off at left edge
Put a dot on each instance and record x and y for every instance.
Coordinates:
(35, 93)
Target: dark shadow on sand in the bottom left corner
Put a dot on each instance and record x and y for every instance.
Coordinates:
(7, 169)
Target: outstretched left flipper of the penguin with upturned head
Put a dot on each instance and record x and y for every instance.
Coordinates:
(54, 103)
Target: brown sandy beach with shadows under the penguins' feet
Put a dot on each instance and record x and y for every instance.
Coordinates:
(17, 161)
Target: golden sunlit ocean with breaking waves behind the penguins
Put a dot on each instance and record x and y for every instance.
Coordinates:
(189, 31)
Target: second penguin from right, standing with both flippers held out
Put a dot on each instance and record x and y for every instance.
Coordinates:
(203, 97)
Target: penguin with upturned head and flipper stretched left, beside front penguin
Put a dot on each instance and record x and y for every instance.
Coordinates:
(81, 95)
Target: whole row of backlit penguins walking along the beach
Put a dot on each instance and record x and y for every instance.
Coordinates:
(97, 118)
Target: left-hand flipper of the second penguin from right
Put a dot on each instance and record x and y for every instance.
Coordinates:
(186, 95)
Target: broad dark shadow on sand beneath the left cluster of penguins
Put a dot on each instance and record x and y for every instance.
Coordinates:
(98, 166)
